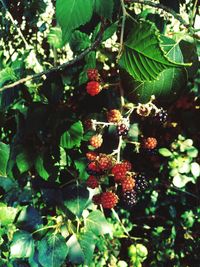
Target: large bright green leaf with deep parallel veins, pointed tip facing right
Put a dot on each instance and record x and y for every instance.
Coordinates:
(143, 58)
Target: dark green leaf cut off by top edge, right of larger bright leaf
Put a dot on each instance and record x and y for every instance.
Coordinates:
(104, 8)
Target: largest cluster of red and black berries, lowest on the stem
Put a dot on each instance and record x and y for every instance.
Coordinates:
(128, 182)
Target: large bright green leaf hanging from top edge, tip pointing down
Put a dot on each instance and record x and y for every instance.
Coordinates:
(71, 14)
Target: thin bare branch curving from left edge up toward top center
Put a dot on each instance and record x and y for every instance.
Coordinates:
(57, 68)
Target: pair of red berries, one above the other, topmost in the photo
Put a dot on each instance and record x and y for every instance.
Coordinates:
(93, 87)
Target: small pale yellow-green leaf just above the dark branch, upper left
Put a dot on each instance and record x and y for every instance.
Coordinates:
(54, 37)
